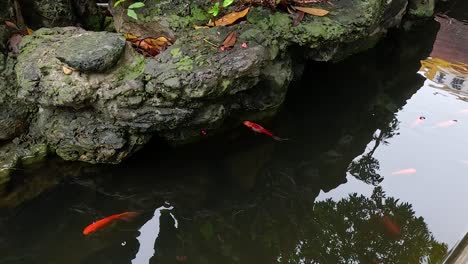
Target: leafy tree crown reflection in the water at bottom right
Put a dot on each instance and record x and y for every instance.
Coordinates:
(352, 231)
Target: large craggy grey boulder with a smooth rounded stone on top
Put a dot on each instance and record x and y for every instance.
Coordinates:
(98, 116)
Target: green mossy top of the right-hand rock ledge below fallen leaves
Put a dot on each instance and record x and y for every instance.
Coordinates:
(343, 24)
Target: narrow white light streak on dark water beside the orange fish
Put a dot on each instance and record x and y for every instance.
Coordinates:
(148, 234)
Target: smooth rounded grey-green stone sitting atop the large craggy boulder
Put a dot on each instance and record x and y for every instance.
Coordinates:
(92, 51)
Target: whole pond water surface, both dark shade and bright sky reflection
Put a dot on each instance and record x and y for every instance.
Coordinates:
(363, 179)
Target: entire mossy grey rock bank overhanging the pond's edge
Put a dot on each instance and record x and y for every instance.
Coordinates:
(88, 96)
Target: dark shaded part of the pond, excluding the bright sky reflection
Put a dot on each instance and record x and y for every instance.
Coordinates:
(243, 198)
